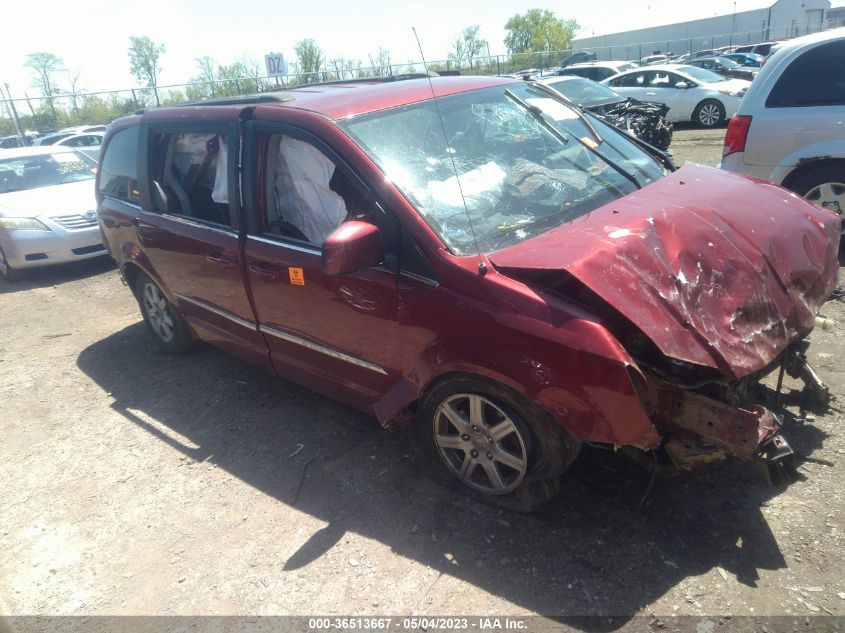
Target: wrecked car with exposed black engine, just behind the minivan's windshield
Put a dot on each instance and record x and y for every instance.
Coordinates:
(646, 121)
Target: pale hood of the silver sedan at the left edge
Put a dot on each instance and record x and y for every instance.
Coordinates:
(72, 197)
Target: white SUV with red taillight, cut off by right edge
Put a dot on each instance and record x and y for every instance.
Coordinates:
(790, 127)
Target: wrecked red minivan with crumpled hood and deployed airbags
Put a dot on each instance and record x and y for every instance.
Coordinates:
(520, 276)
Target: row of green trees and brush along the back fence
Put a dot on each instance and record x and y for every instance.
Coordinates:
(60, 103)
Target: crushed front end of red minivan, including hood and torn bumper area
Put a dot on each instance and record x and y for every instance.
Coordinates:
(710, 284)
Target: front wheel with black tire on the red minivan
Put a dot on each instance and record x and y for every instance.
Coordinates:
(488, 441)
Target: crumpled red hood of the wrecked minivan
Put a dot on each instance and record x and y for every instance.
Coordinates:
(715, 268)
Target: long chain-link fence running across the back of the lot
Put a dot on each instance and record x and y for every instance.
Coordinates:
(42, 114)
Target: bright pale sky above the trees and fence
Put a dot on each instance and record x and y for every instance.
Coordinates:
(92, 36)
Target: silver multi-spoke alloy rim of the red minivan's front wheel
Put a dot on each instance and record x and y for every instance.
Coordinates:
(480, 443)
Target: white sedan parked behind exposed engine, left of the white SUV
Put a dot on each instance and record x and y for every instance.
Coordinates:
(692, 94)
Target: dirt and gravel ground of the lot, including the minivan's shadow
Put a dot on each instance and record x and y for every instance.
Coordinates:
(135, 483)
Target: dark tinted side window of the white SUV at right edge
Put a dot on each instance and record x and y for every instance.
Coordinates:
(816, 78)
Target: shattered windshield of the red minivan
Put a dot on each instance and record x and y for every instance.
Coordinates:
(518, 162)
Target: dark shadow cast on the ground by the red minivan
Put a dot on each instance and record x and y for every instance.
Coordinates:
(588, 553)
